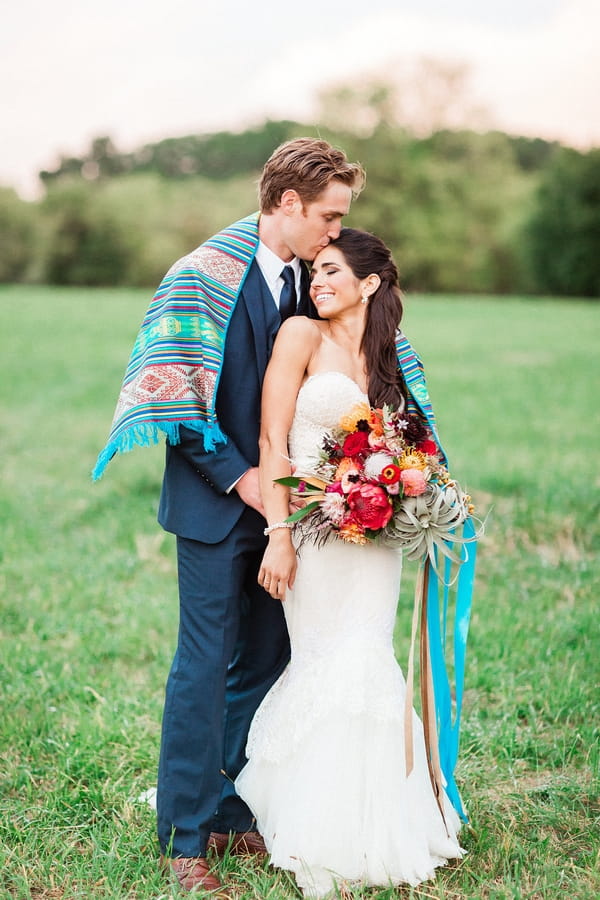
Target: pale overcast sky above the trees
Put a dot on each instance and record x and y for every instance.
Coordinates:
(136, 70)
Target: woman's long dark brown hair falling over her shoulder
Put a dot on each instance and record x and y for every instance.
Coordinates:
(366, 254)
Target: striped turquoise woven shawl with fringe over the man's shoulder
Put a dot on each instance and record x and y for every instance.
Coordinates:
(173, 372)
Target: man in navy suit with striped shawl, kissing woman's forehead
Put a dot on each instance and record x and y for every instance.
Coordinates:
(196, 374)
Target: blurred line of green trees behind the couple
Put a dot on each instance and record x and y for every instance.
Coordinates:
(463, 211)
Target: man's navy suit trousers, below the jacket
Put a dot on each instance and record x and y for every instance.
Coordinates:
(232, 646)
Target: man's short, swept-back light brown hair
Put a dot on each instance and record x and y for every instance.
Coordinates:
(307, 166)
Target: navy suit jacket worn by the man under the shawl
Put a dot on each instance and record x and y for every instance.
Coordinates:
(194, 503)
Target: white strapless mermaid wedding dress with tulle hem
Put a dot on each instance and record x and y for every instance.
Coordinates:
(326, 773)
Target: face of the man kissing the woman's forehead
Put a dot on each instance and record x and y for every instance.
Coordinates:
(310, 227)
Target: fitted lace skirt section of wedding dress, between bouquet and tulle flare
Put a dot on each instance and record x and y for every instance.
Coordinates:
(342, 648)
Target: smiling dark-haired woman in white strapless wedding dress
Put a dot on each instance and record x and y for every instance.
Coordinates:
(326, 772)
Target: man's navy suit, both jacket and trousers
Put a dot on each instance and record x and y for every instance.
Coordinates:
(232, 643)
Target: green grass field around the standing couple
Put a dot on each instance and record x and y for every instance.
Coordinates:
(89, 608)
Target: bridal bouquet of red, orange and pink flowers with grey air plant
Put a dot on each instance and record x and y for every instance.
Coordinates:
(379, 476)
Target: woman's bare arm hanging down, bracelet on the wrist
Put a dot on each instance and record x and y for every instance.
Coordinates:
(296, 342)
